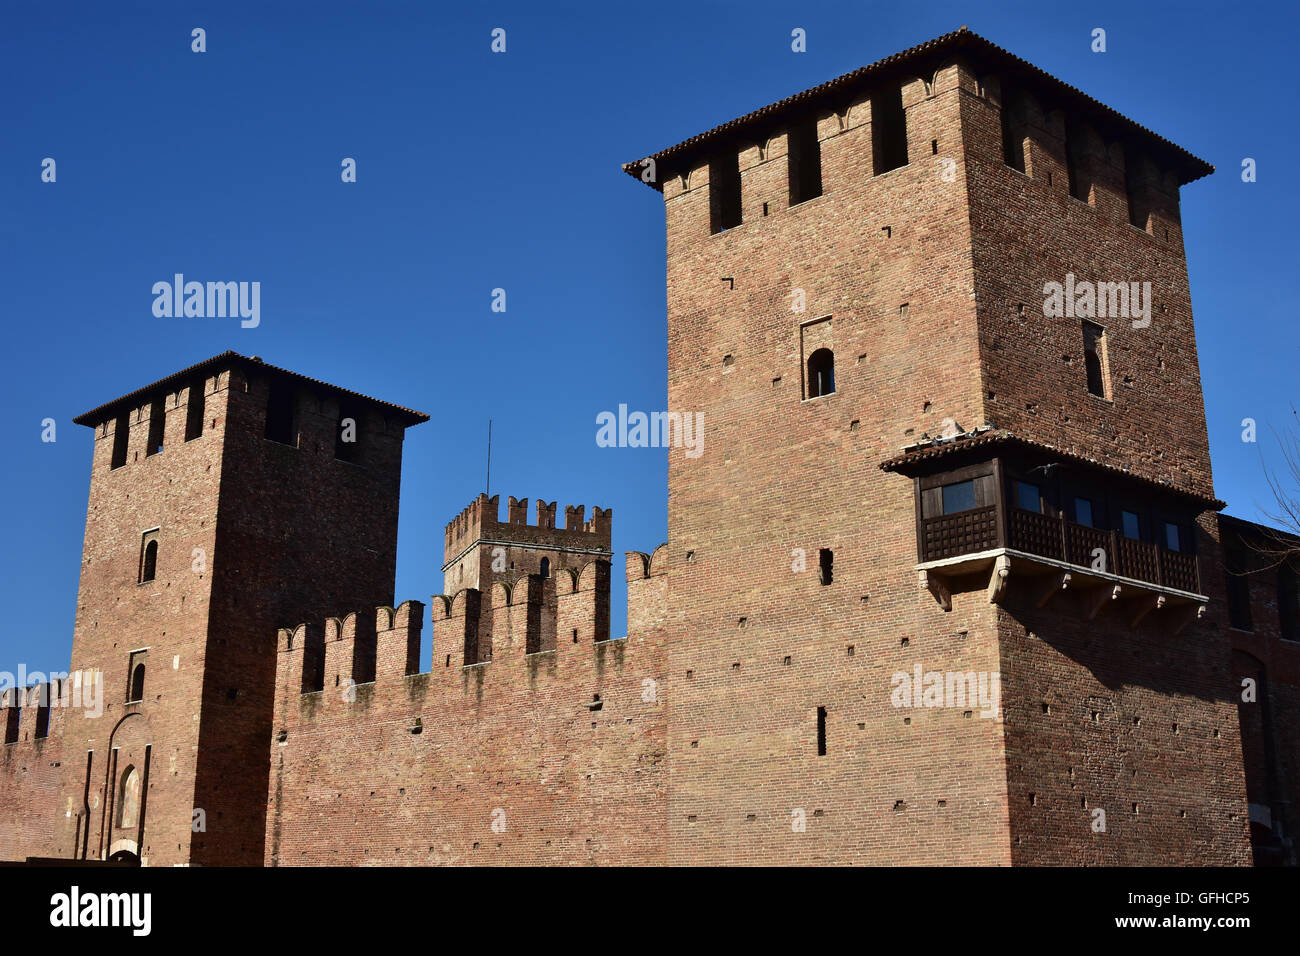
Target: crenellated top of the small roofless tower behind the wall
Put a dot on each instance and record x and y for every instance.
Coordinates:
(480, 522)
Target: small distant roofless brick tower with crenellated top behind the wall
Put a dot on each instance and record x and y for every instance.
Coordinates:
(482, 551)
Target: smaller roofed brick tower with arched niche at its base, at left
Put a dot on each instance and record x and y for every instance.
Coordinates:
(224, 500)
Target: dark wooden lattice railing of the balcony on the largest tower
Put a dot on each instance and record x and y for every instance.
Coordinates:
(970, 533)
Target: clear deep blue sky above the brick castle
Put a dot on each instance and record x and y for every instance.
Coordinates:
(480, 171)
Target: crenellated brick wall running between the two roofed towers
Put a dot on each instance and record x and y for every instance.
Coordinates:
(554, 758)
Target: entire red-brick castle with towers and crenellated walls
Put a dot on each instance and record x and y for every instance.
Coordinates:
(948, 586)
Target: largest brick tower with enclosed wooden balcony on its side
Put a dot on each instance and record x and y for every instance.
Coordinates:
(925, 478)
